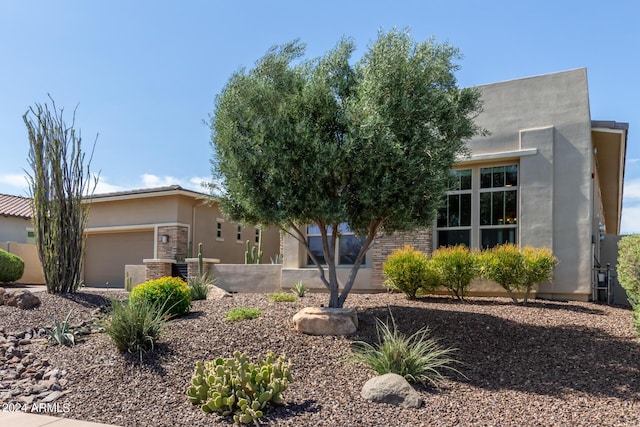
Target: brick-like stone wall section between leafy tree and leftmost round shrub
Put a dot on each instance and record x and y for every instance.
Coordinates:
(419, 239)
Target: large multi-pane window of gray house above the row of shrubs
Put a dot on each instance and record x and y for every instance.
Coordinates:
(481, 208)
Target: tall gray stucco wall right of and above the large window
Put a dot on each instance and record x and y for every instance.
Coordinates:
(550, 114)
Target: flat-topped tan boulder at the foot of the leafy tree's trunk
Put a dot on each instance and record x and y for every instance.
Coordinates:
(326, 321)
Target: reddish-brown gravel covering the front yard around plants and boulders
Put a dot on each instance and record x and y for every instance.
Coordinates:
(545, 364)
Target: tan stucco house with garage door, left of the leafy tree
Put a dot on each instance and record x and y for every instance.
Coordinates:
(167, 223)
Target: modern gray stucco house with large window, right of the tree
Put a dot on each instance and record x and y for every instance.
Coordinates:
(546, 176)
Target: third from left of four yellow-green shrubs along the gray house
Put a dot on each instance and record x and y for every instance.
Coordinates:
(504, 264)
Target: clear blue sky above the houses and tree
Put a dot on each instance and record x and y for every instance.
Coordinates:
(144, 74)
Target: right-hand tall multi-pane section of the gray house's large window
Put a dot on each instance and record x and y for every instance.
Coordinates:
(498, 205)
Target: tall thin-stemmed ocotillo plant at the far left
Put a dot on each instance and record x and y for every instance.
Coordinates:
(58, 183)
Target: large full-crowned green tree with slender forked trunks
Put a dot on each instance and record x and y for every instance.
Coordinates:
(324, 142)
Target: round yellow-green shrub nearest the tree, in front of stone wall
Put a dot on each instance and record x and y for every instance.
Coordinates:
(407, 270)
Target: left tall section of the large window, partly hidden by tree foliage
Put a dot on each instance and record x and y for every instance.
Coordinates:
(454, 219)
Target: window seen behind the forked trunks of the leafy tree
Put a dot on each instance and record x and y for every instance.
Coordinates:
(349, 245)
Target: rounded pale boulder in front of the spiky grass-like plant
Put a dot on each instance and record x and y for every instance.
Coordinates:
(392, 389)
